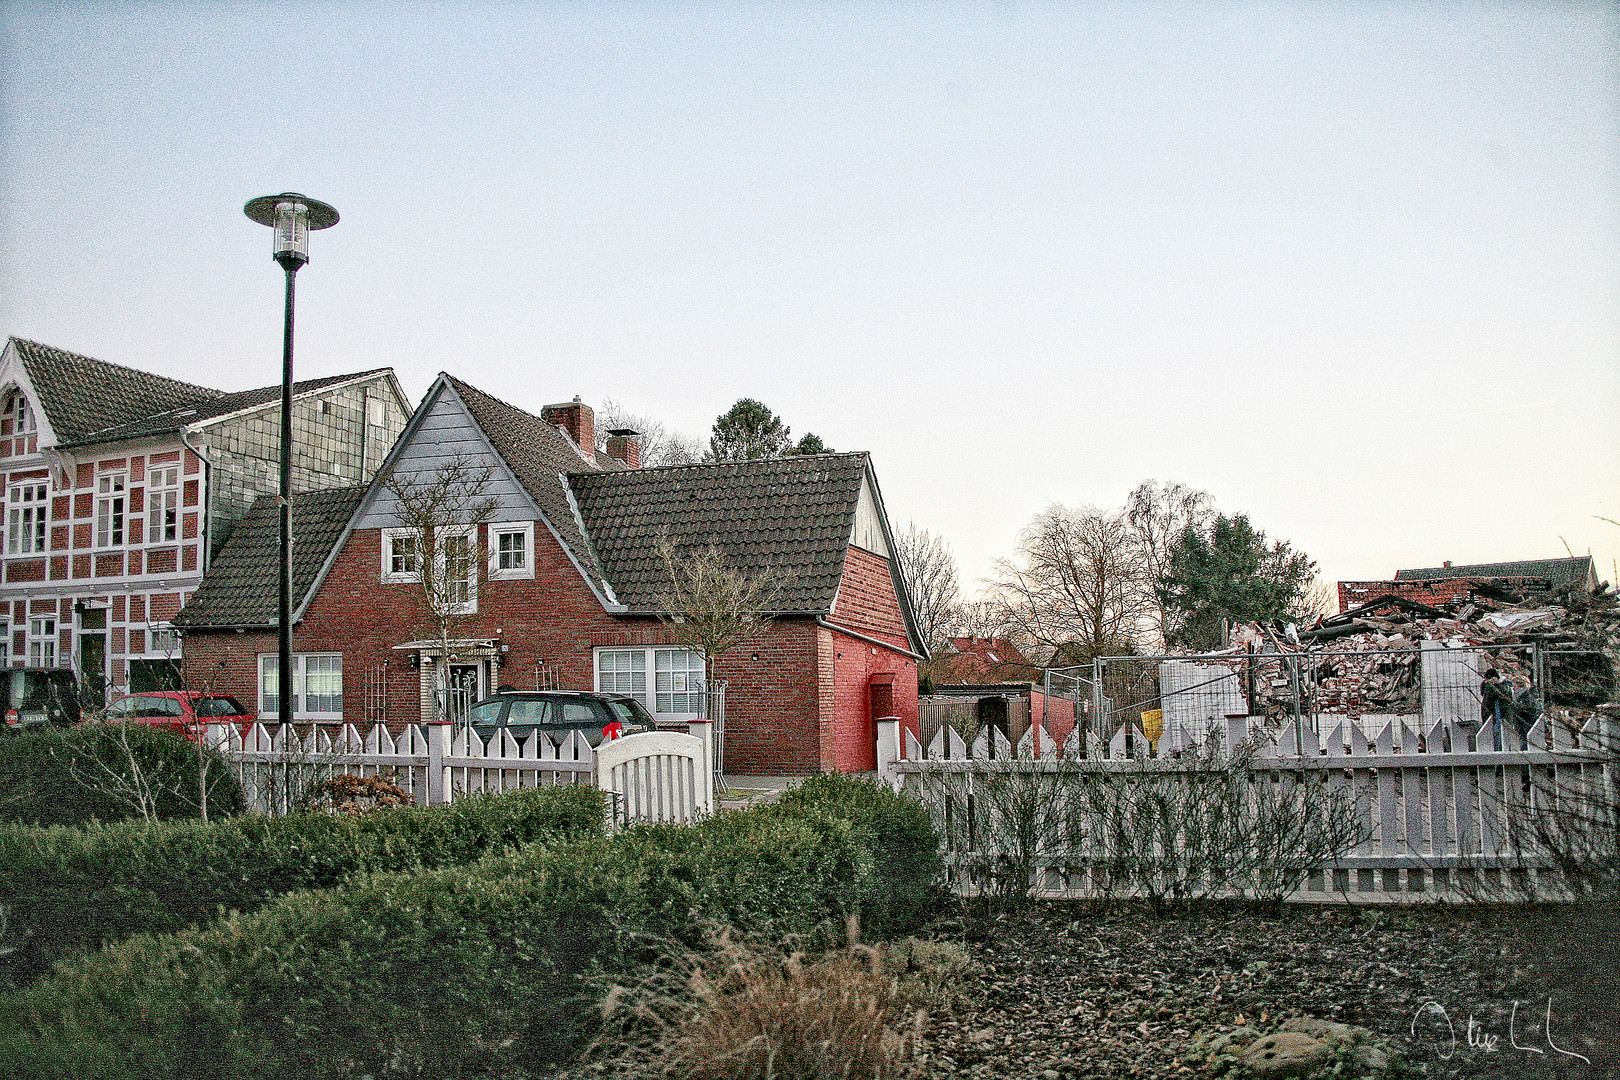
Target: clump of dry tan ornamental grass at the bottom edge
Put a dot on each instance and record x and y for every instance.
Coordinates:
(744, 1011)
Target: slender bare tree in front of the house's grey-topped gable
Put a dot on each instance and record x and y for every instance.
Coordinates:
(440, 517)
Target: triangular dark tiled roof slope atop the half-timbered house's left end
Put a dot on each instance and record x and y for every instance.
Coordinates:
(82, 396)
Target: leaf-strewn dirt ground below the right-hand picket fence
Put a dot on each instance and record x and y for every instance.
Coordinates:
(1072, 992)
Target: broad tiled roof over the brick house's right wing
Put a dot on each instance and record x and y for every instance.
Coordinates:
(790, 516)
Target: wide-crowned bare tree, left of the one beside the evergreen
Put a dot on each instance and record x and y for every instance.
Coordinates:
(1080, 587)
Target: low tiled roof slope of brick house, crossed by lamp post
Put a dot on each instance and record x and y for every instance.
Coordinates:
(241, 589)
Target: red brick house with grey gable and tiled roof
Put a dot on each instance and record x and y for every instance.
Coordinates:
(566, 597)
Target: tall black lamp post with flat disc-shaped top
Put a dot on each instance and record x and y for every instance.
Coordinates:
(292, 216)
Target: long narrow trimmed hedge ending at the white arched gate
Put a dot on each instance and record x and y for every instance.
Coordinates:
(70, 891)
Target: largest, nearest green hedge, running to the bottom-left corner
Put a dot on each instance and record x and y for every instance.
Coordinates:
(467, 972)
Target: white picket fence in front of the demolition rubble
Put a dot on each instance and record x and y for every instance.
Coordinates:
(1441, 807)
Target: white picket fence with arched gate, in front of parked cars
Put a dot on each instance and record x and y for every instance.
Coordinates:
(650, 776)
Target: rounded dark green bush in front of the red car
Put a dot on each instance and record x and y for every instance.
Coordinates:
(85, 773)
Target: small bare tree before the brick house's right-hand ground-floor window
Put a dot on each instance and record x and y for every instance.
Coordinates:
(709, 605)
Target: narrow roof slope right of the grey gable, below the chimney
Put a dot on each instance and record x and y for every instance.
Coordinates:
(539, 456)
